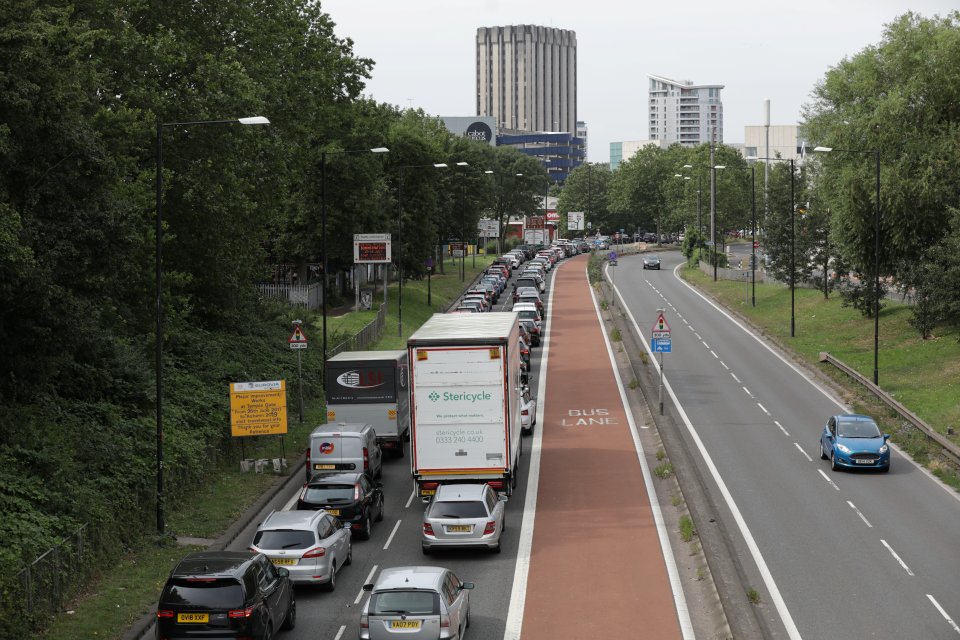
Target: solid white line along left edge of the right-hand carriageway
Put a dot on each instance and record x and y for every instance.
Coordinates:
(792, 632)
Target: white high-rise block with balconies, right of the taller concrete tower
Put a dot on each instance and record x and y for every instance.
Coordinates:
(684, 112)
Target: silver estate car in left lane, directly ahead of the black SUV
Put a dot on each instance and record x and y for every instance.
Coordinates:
(311, 545)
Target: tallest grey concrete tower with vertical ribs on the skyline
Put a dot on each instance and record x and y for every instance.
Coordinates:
(527, 77)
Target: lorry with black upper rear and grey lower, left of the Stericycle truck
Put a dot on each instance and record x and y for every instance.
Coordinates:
(371, 387)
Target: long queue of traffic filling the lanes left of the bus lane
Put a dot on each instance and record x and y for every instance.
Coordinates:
(449, 413)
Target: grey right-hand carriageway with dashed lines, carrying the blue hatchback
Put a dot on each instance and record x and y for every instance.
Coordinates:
(834, 555)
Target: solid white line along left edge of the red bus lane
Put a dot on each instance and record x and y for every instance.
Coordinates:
(518, 593)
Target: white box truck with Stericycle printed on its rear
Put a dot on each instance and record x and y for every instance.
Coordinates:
(465, 401)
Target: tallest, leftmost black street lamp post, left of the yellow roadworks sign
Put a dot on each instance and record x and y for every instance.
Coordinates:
(254, 120)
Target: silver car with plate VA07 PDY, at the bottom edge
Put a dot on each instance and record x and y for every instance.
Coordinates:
(416, 603)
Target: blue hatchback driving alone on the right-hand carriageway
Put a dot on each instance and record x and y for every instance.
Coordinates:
(851, 440)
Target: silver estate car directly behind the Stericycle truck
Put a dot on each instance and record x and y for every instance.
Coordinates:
(464, 515)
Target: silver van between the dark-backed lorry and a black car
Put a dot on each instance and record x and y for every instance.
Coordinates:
(344, 447)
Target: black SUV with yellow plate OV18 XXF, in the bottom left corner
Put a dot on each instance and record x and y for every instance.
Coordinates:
(226, 594)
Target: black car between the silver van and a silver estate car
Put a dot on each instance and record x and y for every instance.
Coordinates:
(352, 497)
